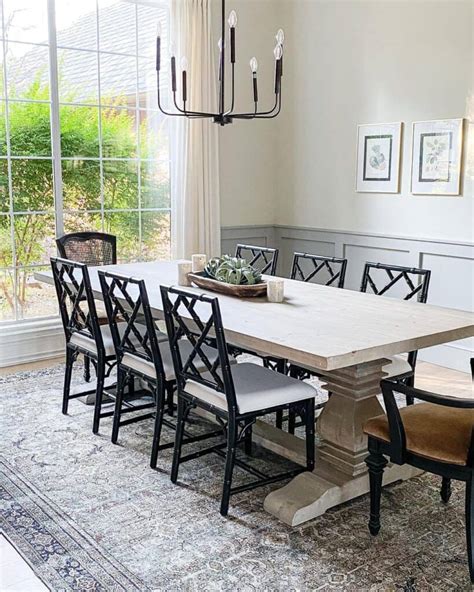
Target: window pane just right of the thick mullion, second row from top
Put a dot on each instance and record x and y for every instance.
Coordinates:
(78, 76)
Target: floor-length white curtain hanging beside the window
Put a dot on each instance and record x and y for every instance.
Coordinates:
(194, 143)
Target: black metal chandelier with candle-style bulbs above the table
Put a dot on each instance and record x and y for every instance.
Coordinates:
(223, 116)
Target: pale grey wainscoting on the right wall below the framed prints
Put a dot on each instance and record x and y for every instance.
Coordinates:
(452, 265)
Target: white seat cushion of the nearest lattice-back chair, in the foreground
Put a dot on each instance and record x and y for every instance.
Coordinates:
(256, 388)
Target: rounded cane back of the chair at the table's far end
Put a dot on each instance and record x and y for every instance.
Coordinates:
(91, 248)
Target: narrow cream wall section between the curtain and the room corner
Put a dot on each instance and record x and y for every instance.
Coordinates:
(248, 149)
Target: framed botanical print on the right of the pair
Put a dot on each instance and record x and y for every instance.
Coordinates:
(436, 157)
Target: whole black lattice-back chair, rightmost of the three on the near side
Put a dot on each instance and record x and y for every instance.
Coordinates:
(236, 394)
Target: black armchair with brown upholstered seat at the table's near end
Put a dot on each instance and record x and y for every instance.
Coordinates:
(435, 436)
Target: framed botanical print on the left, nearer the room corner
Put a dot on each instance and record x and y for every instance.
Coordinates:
(378, 157)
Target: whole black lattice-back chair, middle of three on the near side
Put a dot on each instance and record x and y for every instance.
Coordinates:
(141, 353)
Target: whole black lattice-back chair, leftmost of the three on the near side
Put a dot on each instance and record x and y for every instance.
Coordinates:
(84, 335)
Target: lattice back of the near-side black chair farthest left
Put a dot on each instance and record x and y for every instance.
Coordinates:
(76, 300)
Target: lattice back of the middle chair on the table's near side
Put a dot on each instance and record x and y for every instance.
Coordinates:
(126, 300)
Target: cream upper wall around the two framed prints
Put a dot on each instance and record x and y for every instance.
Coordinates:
(353, 62)
